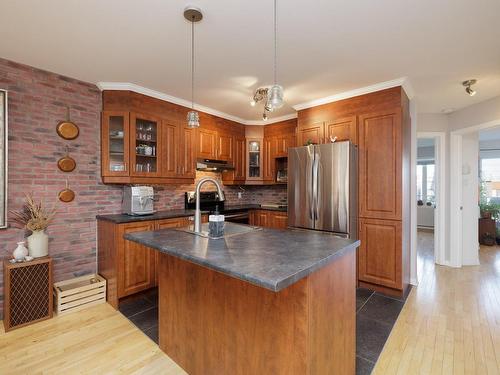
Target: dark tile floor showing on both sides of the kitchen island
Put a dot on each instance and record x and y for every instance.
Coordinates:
(375, 316)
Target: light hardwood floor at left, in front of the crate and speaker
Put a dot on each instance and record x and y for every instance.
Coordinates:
(98, 340)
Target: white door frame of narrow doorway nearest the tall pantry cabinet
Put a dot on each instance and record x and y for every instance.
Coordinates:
(440, 212)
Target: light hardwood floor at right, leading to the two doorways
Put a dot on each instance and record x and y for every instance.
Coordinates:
(450, 323)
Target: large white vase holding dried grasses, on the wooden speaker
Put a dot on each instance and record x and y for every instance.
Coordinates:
(34, 217)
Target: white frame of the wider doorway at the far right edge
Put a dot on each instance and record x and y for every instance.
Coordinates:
(456, 226)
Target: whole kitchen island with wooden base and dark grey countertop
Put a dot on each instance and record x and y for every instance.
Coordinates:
(263, 302)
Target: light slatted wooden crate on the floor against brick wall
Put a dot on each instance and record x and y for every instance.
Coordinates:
(79, 293)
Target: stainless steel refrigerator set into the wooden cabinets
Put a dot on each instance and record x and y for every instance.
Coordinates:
(322, 188)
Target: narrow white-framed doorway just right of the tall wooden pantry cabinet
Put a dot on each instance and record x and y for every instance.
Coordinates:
(430, 181)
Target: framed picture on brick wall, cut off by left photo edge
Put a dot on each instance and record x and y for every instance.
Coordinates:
(3, 159)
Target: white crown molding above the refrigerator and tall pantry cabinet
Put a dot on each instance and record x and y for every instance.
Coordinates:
(403, 82)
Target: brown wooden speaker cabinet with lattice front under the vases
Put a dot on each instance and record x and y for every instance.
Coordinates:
(27, 292)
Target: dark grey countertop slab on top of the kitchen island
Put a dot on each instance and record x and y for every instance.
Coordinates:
(269, 258)
